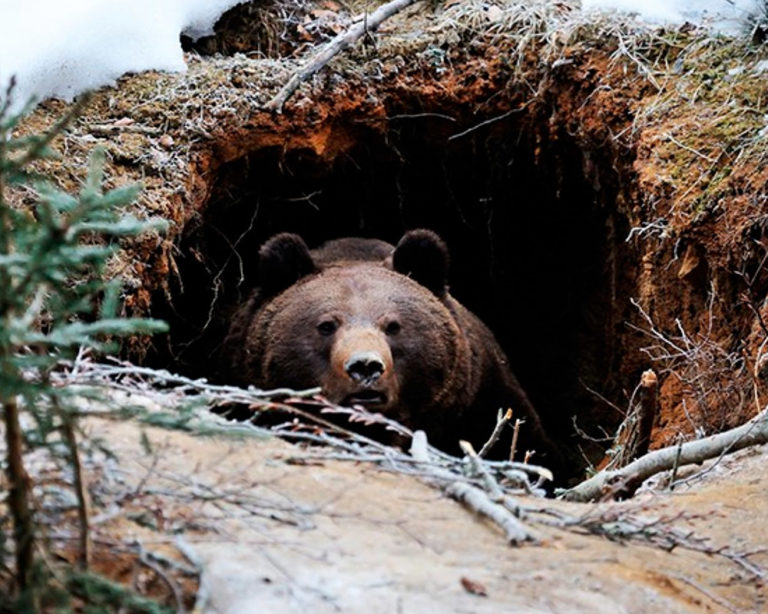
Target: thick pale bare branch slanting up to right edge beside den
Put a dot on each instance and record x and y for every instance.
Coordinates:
(625, 481)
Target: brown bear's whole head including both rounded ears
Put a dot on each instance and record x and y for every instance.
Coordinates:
(370, 324)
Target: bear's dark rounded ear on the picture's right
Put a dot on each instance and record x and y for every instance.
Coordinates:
(423, 256)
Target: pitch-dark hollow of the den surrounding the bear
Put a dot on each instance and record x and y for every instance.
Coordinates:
(536, 244)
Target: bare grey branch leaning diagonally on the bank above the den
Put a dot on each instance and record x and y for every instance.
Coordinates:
(338, 44)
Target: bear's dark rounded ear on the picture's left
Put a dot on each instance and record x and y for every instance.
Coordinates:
(283, 260)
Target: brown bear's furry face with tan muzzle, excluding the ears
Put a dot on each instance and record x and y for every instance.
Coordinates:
(364, 337)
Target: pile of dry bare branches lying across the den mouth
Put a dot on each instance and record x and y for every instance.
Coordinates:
(509, 494)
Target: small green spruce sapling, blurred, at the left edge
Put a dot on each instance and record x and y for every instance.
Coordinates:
(54, 300)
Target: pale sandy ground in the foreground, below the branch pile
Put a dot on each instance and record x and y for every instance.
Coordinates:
(276, 531)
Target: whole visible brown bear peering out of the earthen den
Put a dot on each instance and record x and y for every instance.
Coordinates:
(374, 325)
